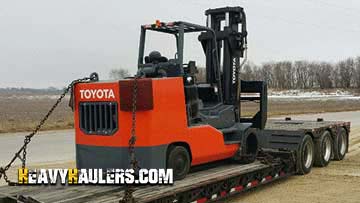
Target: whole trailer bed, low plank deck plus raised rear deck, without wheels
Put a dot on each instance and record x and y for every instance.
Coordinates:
(218, 181)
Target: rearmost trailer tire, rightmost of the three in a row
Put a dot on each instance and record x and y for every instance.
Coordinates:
(339, 150)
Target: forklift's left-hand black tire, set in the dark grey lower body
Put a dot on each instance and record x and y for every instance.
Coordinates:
(179, 160)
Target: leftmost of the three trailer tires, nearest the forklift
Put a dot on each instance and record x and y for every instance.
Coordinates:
(305, 160)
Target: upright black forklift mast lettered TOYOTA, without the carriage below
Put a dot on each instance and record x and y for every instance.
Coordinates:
(229, 24)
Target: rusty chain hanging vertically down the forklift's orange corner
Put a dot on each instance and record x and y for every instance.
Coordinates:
(129, 189)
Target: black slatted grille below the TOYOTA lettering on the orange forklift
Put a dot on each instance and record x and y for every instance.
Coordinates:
(98, 118)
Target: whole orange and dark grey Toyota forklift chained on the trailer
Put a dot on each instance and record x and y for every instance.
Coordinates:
(180, 122)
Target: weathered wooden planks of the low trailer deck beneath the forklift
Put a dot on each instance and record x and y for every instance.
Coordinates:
(73, 194)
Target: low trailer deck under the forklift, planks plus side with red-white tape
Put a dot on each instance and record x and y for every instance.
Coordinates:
(198, 186)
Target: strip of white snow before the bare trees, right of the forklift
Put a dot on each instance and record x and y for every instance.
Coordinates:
(312, 95)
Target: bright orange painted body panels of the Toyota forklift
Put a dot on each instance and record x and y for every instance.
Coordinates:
(166, 123)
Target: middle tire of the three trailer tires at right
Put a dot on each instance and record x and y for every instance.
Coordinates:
(323, 149)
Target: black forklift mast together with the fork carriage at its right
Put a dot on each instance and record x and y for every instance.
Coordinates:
(229, 25)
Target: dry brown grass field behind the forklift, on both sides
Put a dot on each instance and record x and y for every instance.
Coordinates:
(23, 114)
